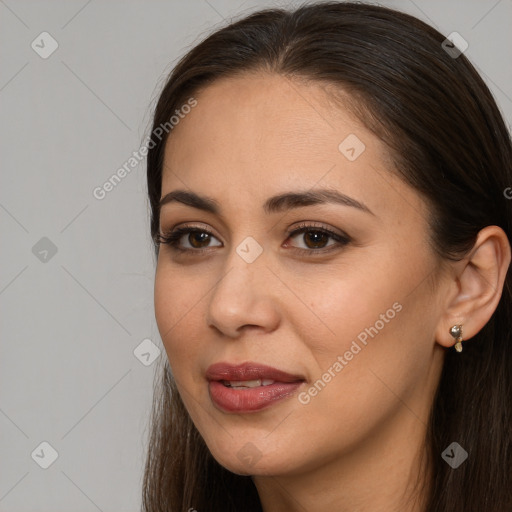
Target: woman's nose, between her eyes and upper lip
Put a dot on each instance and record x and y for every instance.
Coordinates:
(244, 298)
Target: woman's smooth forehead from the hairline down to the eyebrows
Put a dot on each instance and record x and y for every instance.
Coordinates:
(258, 134)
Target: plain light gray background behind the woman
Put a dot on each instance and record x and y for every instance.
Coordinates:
(70, 323)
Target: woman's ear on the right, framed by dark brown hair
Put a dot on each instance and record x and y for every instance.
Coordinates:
(475, 286)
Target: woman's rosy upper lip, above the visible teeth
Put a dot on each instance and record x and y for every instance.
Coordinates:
(248, 371)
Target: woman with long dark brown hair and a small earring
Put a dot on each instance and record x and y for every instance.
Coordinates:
(332, 229)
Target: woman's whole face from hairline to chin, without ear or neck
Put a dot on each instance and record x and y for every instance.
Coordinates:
(296, 328)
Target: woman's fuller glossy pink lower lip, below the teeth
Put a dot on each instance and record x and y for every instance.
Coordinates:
(250, 399)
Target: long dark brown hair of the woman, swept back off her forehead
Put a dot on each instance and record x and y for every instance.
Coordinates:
(447, 139)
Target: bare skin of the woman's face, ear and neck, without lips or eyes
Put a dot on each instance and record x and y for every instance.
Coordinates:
(357, 445)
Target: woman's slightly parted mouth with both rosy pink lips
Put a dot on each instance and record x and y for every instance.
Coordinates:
(249, 387)
